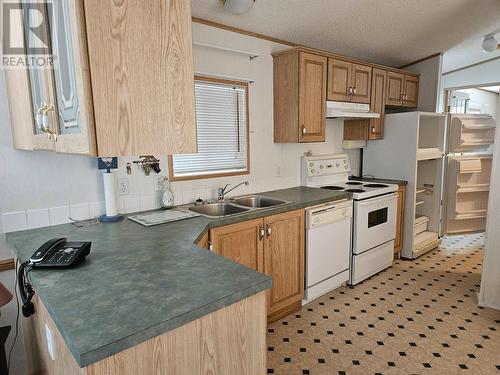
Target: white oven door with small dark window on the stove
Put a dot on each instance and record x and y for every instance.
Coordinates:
(374, 222)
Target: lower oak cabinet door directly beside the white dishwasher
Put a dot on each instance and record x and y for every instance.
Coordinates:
(284, 259)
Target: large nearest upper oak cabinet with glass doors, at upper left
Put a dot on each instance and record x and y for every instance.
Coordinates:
(112, 92)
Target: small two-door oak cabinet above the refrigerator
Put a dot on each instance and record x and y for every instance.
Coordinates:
(402, 90)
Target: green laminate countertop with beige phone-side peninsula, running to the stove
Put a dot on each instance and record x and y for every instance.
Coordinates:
(140, 282)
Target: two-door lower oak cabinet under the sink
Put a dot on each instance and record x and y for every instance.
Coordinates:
(273, 245)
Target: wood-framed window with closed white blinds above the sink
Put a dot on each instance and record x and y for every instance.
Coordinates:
(222, 132)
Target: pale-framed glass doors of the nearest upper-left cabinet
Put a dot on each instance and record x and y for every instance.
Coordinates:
(67, 124)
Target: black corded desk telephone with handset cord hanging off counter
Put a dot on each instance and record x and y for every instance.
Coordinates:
(56, 254)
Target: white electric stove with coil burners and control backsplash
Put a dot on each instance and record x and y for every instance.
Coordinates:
(374, 212)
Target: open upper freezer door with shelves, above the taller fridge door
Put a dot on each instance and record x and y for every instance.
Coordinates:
(469, 133)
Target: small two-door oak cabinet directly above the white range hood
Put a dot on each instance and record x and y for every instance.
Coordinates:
(348, 81)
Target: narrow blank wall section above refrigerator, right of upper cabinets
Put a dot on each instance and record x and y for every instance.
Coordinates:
(430, 77)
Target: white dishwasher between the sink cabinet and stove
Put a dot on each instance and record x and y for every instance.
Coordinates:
(328, 247)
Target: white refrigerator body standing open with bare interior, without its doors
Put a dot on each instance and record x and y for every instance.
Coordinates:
(413, 150)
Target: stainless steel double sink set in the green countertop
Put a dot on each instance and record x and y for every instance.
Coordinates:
(237, 205)
